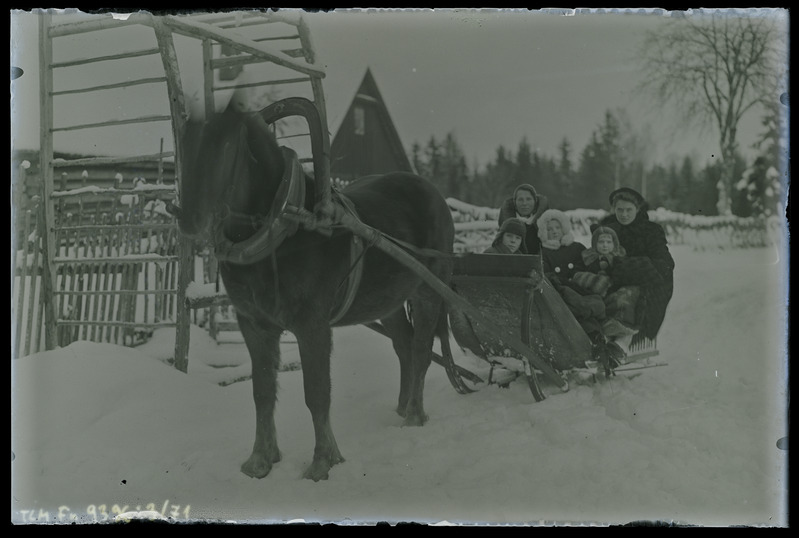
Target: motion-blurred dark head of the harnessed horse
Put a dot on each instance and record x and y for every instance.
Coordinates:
(231, 165)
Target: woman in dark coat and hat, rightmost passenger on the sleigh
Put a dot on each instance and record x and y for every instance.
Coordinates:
(649, 262)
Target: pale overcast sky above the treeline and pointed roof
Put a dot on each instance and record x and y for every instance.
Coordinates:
(491, 77)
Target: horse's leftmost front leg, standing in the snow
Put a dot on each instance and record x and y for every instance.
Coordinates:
(263, 343)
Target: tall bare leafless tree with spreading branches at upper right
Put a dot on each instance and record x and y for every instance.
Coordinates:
(716, 67)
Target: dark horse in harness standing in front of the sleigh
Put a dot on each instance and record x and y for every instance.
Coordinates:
(232, 169)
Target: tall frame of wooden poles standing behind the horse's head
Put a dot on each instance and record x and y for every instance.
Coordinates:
(209, 28)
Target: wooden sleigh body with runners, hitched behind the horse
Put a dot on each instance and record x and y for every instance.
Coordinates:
(510, 291)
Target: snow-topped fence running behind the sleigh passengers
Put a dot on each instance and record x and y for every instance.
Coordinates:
(476, 227)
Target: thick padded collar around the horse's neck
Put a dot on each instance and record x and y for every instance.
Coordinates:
(273, 229)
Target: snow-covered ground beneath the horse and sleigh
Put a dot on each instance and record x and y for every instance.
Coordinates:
(99, 429)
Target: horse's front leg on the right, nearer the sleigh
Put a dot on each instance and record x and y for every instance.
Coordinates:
(314, 341)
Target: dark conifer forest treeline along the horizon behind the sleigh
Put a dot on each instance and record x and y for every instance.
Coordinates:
(616, 155)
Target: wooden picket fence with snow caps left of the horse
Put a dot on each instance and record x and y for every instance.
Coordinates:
(115, 266)
